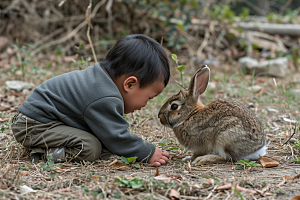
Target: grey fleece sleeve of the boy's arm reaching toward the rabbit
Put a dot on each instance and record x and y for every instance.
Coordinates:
(105, 118)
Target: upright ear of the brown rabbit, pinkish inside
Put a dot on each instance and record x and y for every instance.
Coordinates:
(199, 81)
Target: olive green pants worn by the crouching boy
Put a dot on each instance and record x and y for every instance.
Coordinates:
(38, 137)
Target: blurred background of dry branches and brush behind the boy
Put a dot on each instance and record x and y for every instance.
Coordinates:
(41, 36)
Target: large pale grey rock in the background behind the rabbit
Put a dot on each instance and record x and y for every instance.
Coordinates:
(275, 67)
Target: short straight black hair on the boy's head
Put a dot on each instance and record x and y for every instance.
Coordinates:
(138, 55)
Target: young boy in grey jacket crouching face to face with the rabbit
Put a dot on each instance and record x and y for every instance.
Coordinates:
(79, 113)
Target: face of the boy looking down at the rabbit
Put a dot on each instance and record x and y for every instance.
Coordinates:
(136, 98)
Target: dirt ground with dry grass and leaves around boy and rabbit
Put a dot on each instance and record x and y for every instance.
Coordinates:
(20, 179)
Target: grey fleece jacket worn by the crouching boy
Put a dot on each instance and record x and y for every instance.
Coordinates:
(87, 100)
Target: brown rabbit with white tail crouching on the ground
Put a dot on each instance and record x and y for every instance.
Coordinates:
(224, 127)
